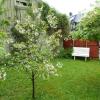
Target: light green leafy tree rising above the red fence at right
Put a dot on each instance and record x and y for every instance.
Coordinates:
(89, 27)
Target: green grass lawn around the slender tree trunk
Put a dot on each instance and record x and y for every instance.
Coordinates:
(77, 80)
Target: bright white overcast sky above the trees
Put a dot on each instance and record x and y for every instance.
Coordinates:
(74, 6)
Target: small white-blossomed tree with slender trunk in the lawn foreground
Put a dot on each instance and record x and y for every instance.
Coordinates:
(32, 48)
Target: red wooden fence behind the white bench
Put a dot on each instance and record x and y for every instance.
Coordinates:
(93, 45)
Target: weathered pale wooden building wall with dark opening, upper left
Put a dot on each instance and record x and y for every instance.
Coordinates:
(14, 9)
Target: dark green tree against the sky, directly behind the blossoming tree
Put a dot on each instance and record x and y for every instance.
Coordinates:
(62, 21)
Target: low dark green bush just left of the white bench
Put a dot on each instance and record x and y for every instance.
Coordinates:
(65, 53)
